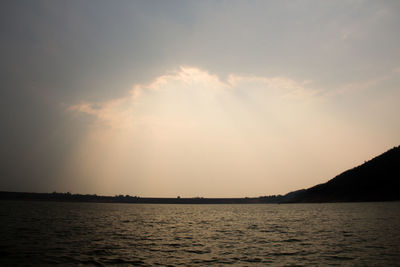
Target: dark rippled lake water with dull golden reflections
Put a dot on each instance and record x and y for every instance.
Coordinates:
(48, 233)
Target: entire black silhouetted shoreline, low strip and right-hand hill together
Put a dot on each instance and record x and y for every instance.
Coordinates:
(376, 180)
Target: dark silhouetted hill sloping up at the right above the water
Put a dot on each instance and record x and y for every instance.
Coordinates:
(375, 180)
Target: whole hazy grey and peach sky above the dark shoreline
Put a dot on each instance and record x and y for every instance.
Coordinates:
(194, 98)
